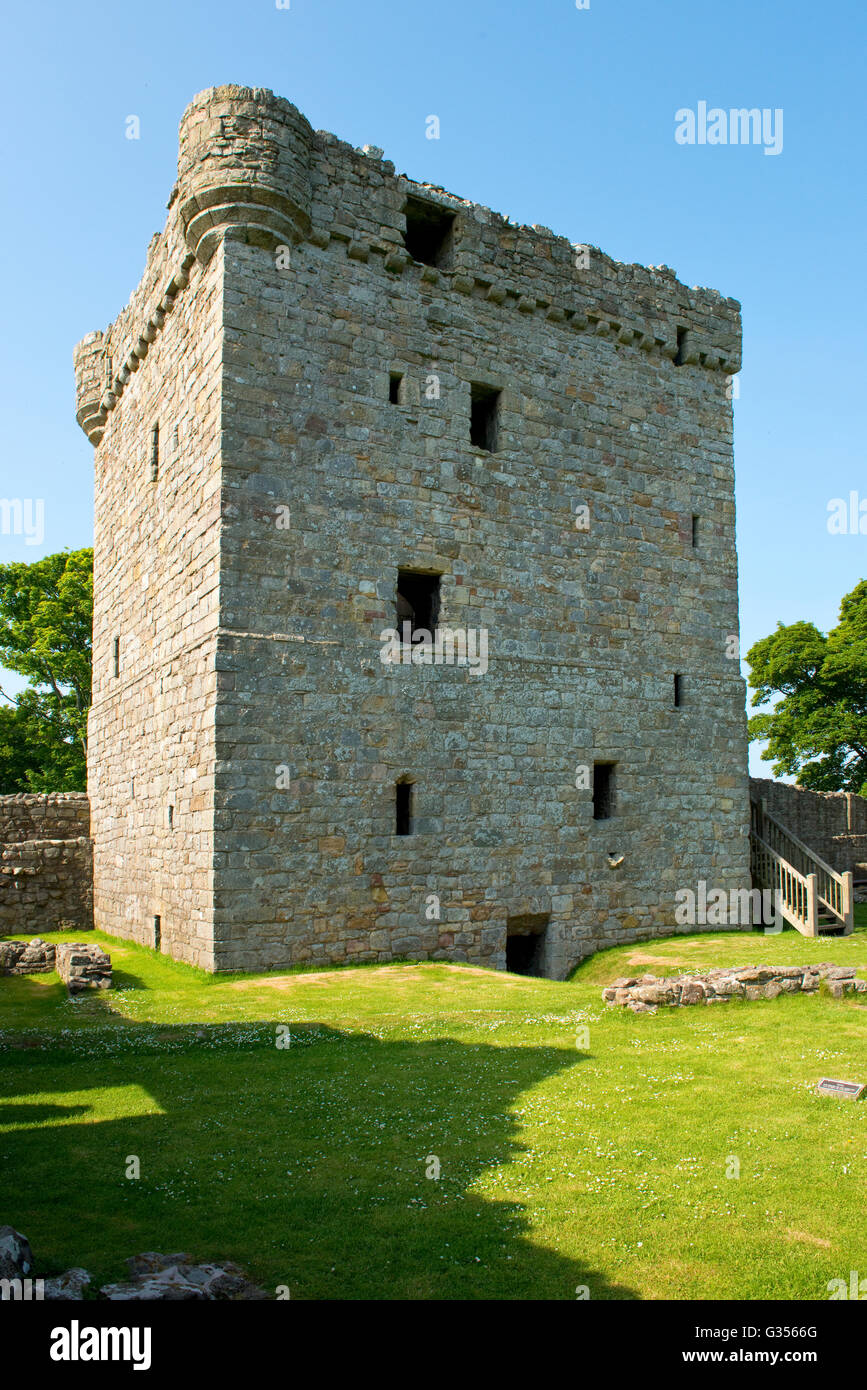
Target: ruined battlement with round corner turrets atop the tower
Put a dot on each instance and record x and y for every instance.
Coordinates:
(252, 169)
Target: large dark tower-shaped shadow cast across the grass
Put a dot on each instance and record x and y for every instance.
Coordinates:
(308, 1164)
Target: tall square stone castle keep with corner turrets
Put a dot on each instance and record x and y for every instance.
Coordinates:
(342, 405)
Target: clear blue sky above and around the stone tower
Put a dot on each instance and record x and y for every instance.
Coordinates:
(550, 115)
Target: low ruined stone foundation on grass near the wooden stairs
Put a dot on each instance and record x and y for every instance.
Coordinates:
(645, 993)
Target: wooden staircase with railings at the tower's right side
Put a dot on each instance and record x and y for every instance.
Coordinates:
(809, 894)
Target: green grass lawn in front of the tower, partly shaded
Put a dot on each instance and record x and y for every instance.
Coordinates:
(561, 1167)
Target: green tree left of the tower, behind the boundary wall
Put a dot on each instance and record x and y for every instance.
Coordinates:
(47, 619)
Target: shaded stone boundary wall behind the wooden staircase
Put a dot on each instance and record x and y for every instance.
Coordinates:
(833, 824)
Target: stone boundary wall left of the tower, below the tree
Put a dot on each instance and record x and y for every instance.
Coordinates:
(47, 864)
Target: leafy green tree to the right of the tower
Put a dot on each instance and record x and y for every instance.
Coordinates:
(818, 729)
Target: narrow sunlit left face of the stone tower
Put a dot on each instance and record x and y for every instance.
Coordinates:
(151, 746)
